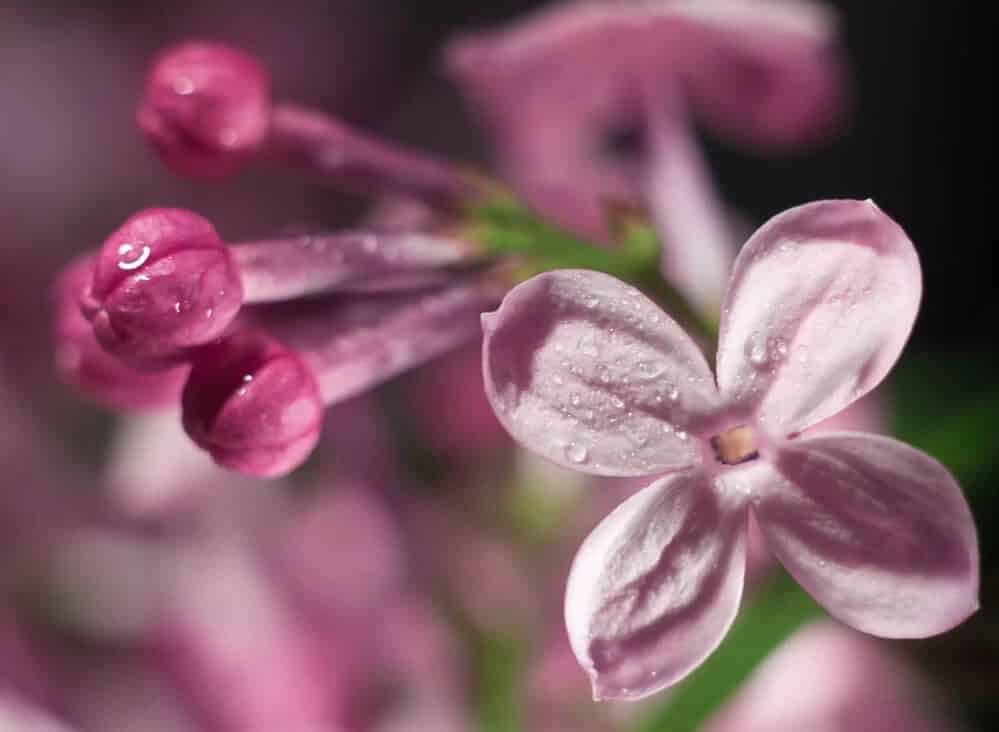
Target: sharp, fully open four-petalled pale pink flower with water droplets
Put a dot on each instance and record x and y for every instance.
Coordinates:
(588, 372)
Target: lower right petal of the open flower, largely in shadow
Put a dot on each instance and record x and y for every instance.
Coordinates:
(877, 531)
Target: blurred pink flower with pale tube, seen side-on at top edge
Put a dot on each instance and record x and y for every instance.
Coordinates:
(598, 99)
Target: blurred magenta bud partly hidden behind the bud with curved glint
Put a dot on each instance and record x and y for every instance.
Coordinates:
(83, 363)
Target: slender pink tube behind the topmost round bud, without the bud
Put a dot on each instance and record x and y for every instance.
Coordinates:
(359, 162)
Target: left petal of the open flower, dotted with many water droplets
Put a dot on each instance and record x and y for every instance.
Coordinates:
(591, 374)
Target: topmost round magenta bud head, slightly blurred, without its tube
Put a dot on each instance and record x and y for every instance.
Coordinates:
(206, 108)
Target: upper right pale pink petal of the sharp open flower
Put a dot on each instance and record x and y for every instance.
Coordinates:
(821, 302)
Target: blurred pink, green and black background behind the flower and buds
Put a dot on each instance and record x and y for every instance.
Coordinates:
(465, 563)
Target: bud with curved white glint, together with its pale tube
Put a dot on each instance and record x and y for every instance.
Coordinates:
(165, 281)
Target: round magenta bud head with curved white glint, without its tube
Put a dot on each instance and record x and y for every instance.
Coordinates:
(163, 283)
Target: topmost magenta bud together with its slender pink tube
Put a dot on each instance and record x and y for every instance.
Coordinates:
(207, 110)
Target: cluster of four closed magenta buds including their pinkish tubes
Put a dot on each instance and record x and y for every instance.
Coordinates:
(261, 335)
